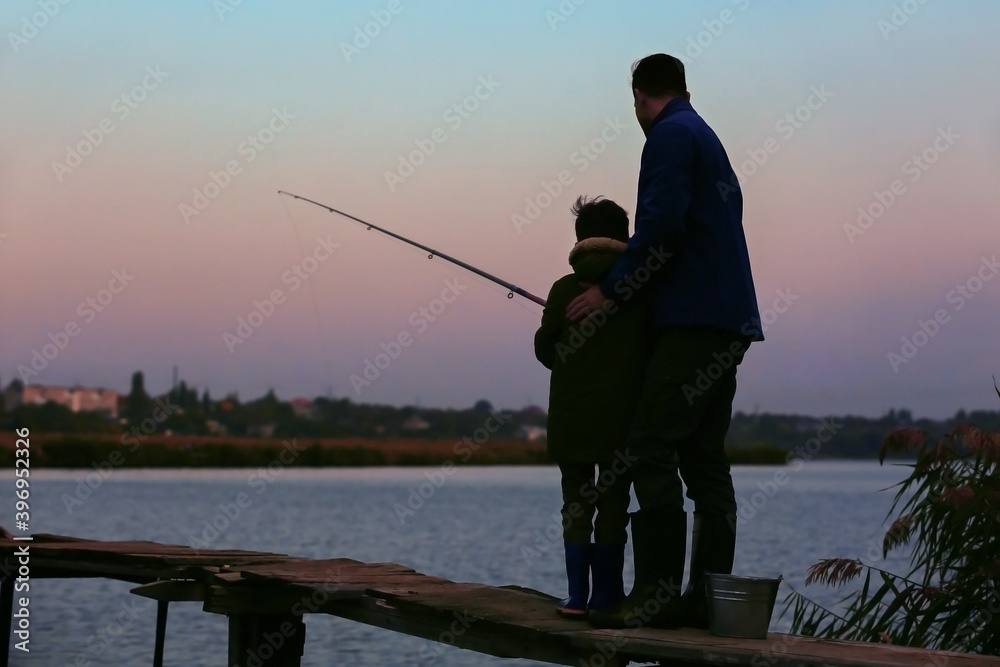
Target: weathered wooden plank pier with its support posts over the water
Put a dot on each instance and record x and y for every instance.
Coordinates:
(267, 595)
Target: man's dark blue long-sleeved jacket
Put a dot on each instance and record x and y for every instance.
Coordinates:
(690, 208)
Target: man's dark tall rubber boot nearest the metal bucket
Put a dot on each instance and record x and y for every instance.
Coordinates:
(713, 547)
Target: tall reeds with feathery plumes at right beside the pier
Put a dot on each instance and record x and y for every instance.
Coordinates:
(948, 509)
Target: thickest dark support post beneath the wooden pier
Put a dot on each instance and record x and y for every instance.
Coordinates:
(266, 640)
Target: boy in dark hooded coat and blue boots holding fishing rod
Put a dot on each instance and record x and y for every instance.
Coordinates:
(597, 373)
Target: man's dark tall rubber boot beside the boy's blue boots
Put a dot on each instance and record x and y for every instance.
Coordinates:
(659, 537)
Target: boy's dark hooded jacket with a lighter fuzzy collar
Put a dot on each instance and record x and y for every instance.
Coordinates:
(597, 368)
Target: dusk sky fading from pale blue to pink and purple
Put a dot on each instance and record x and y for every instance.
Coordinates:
(144, 144)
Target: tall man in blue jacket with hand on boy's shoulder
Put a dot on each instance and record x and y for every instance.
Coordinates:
(690, 250)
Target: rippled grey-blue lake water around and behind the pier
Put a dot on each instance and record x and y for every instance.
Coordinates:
(477, 526)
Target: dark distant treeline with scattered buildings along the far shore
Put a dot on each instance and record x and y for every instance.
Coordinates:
(184, 413)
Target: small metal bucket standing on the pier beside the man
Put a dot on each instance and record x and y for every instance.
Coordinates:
(740, 606)
